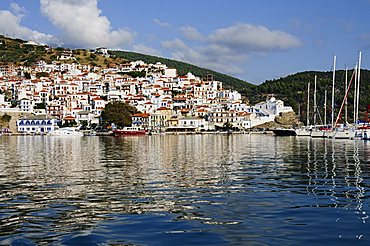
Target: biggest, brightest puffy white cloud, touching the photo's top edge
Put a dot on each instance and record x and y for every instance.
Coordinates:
(82, 24)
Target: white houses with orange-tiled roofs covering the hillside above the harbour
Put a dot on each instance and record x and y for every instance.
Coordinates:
(166, 101)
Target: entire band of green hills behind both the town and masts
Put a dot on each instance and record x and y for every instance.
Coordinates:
(291, 89)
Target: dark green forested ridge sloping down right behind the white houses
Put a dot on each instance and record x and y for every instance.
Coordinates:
(183, 68)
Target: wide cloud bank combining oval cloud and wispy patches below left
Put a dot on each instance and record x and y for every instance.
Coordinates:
(227, 49)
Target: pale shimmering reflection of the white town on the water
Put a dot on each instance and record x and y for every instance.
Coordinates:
(75, 182)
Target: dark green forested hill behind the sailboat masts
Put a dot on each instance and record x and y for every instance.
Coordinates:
(293, 91)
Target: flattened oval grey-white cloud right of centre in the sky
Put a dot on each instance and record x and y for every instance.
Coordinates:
(246, 37)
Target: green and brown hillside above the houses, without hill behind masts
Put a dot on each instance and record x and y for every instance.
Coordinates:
(20, 52)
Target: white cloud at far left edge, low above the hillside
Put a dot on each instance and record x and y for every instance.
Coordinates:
(10, 25)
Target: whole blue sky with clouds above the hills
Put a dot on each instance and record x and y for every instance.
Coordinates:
(254, 40)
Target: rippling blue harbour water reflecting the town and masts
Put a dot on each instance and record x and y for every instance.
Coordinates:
(220, 189)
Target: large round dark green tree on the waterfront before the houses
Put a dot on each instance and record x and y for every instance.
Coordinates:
(118, 113)
